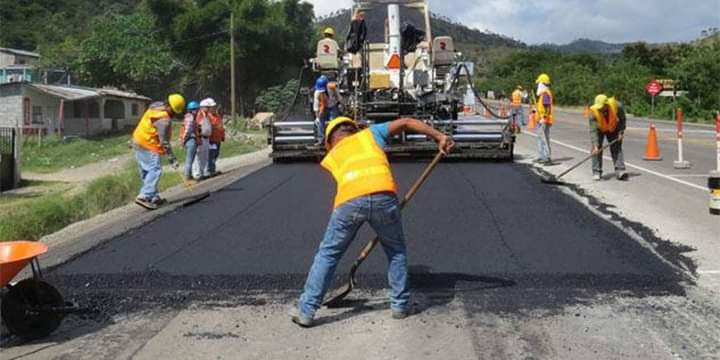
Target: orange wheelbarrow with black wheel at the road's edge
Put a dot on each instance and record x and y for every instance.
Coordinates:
(31, 308)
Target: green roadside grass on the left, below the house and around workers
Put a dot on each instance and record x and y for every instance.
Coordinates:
(45, 207)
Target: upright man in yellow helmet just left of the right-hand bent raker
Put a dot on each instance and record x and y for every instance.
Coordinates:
(545, 107)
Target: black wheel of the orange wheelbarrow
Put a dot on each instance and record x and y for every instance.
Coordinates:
(26, 309)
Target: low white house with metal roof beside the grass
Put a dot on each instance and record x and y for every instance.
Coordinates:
(68, 110)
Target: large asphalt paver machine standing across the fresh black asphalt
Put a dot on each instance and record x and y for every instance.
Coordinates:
(401, 70)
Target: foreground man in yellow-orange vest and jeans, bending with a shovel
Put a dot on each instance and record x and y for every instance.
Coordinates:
(366, 192)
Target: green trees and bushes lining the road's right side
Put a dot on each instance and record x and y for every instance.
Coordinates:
(578, 77)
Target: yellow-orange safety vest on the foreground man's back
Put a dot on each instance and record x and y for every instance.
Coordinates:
(359, 166)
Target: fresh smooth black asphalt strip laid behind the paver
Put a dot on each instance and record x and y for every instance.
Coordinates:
(486, 222)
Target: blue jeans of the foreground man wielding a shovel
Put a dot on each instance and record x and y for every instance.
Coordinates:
(382, 212)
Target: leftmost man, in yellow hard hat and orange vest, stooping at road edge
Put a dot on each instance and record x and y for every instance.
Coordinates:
(151, 141)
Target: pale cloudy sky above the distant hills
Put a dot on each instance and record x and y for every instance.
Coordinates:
(561, 21)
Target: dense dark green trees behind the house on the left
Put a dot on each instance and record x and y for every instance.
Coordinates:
(160, 46)
